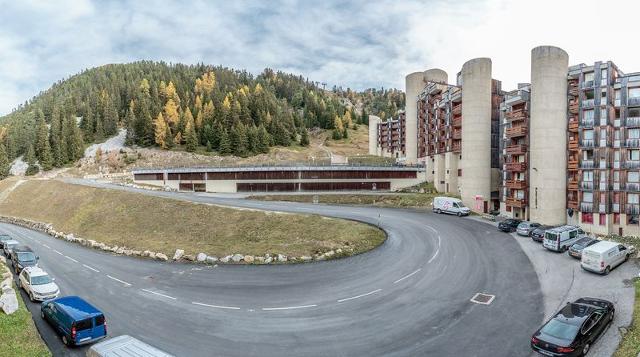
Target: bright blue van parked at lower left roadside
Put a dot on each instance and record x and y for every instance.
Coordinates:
(77, 321)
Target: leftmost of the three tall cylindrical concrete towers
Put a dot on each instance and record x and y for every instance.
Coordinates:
(414, 83)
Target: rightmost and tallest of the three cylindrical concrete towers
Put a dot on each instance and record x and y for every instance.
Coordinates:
(548, 135)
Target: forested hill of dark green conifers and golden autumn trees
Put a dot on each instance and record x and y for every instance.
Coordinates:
(196, 106)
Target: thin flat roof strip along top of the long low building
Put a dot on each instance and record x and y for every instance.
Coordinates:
(279, 168)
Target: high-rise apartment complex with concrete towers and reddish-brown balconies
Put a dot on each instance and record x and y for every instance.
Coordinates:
(564, 148)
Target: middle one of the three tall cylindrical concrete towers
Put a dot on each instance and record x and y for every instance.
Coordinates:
(475, 182)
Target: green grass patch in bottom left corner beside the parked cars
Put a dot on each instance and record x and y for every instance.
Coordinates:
(18, 334)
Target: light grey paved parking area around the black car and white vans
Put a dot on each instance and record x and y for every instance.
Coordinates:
(563, 280)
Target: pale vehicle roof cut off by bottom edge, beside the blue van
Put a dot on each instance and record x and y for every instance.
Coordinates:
(124, 346)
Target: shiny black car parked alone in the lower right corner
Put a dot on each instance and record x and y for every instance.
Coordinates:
(574, 329)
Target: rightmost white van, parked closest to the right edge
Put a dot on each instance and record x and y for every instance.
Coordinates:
(603, 256)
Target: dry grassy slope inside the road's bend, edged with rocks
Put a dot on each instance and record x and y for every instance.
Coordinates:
(143, 222)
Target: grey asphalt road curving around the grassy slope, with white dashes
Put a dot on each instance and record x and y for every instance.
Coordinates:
(409, 297)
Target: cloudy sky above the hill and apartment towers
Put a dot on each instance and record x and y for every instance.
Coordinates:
(357, 44)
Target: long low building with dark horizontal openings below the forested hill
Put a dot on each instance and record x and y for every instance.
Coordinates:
(283, 179)
